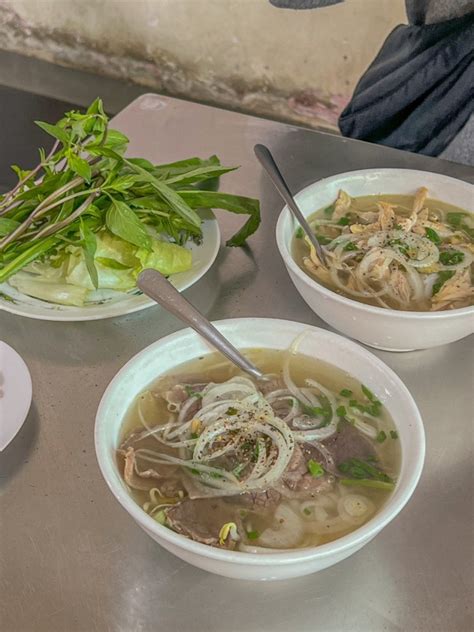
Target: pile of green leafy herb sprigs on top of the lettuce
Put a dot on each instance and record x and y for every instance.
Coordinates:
(85, 184)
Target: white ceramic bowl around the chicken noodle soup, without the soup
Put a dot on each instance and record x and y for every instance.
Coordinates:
(387, 329)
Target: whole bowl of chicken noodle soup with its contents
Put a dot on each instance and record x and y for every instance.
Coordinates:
(399, 246)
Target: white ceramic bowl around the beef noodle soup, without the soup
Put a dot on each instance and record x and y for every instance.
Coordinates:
(164, 355)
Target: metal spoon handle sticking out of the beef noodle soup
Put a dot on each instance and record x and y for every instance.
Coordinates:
(157, 287)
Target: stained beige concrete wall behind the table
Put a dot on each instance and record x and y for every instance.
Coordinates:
(244, 54)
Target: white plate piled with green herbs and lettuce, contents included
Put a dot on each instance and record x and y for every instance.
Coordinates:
(76, 230)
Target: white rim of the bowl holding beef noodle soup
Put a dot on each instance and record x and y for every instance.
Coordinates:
(358, 537)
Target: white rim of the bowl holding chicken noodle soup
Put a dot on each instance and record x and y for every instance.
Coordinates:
(285, 252)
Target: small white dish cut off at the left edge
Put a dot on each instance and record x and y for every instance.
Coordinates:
(15, 393)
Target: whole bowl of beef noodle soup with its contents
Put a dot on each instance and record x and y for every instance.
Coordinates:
(266, 479)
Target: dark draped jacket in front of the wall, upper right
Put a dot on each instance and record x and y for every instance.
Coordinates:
(418, 93)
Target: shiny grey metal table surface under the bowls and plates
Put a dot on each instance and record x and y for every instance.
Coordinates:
(73, 560)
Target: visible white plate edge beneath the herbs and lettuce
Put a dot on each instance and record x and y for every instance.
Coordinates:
(107, 303)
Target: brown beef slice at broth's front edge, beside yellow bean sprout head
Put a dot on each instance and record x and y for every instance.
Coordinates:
(202, 519)
